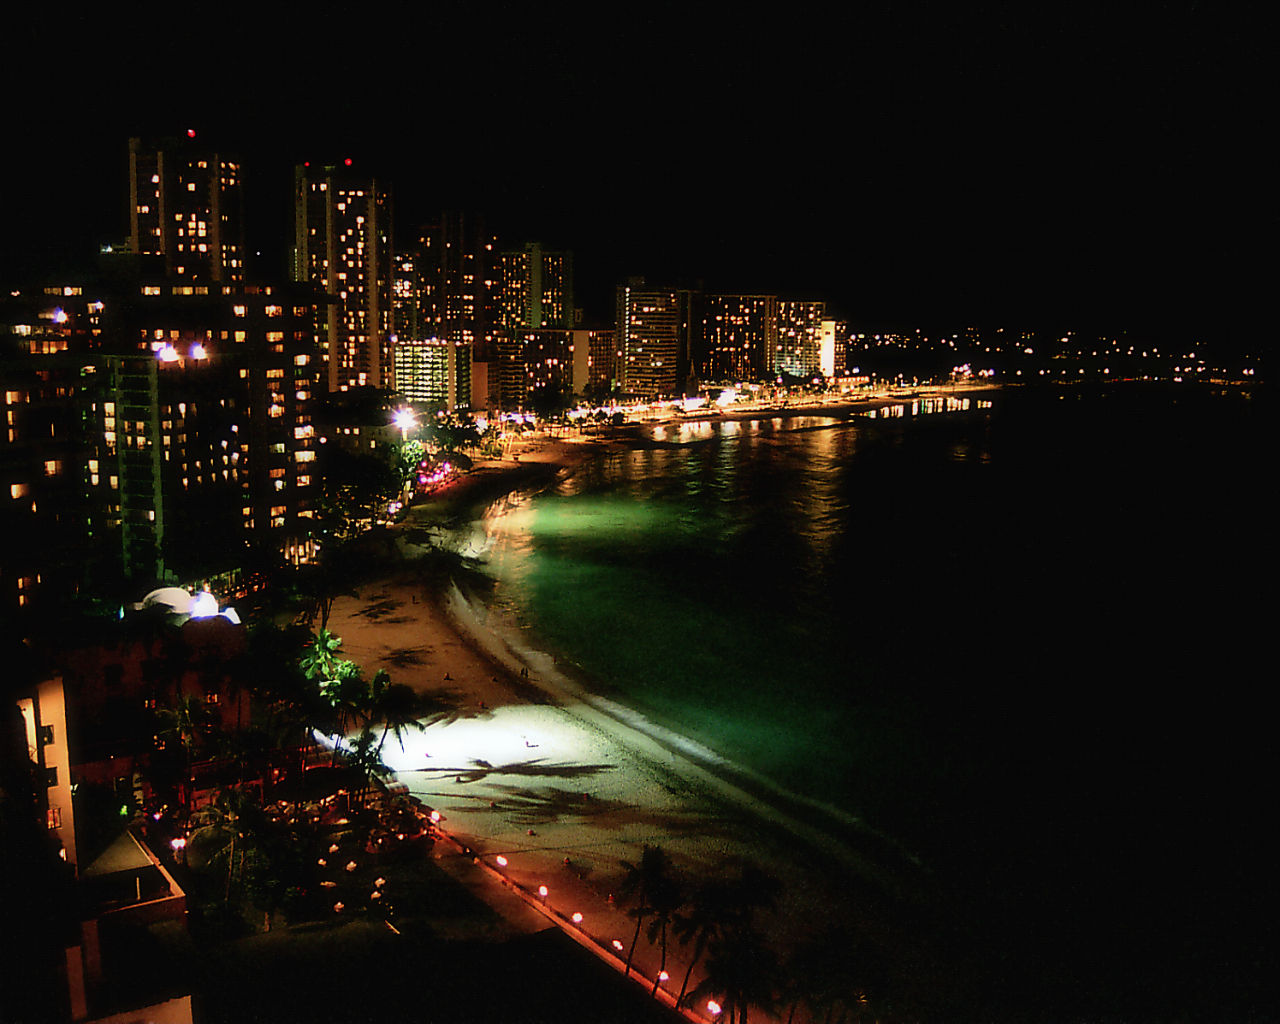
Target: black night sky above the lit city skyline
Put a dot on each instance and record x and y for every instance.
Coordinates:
(912, 163)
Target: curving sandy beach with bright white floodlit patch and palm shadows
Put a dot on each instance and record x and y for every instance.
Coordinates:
(568, 787)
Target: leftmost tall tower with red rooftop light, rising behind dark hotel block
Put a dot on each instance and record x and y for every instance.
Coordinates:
(185, 205)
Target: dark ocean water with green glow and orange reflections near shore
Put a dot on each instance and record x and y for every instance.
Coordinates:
(1020, 638)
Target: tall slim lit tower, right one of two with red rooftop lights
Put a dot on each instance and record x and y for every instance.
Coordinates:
(344, 245)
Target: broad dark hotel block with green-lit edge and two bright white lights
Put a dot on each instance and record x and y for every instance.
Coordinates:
(207, 438)
